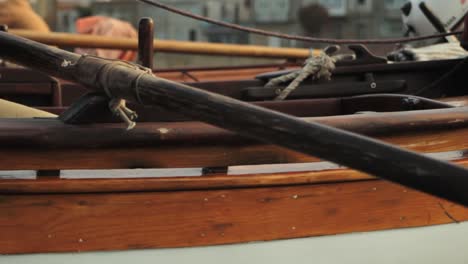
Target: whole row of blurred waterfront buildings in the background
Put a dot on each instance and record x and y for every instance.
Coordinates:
(347, 18)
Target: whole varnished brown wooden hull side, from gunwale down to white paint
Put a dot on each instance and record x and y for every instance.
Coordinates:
(52, 214)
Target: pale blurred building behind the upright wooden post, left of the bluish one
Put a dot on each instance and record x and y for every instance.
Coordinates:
(170, 26)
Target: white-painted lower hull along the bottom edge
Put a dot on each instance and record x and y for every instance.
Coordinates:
(405, 246)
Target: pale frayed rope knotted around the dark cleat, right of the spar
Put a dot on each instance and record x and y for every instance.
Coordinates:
(316, 66)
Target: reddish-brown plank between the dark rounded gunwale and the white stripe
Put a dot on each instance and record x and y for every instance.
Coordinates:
(196, 155)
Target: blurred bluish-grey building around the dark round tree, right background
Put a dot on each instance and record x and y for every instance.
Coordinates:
(347, 18)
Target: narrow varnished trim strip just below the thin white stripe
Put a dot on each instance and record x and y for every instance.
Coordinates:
(96, 185)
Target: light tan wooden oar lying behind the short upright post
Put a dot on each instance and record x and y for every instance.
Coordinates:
(170, 46)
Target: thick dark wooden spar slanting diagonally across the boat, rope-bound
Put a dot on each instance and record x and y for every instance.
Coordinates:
(121, 80)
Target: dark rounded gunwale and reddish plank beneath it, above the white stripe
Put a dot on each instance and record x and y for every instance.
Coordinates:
(51, 145)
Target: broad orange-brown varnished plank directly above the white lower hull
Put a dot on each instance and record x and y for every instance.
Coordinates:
(121, 221)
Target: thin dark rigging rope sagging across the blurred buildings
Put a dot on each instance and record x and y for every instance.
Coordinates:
(294, 37)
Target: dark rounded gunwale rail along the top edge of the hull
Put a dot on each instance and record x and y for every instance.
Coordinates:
(53, 134)
